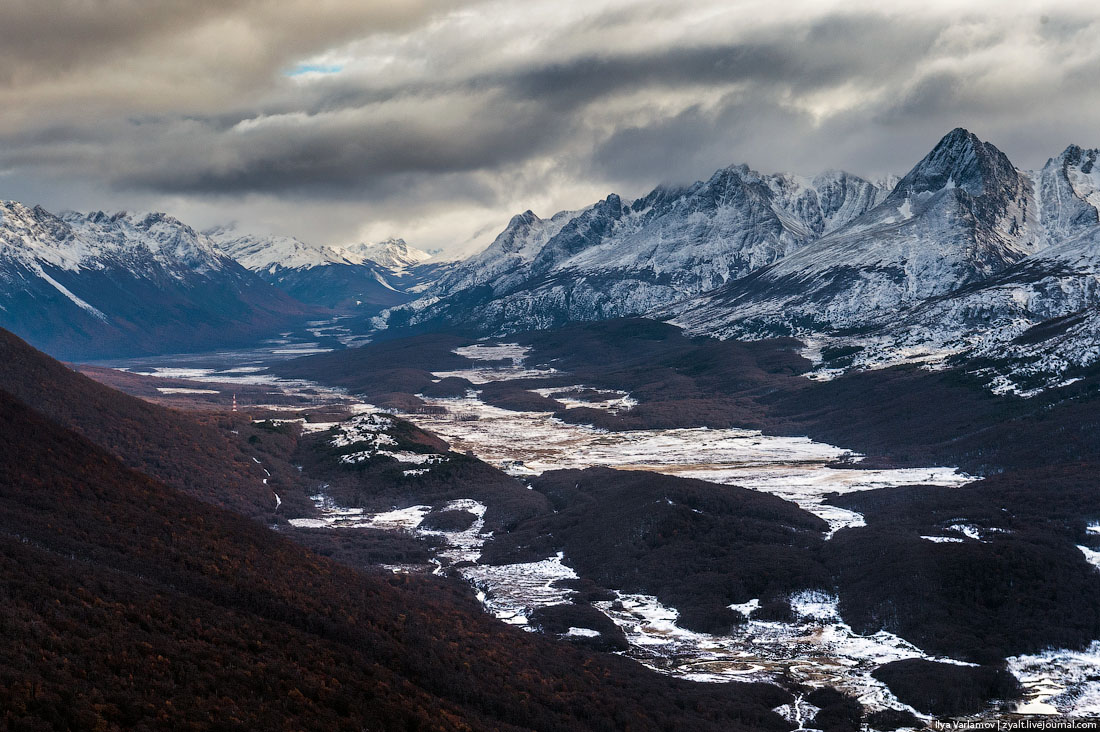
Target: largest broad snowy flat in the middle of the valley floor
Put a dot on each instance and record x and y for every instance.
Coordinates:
(795, 468)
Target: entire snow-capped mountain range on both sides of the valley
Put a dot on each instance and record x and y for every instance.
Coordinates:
(966, 258)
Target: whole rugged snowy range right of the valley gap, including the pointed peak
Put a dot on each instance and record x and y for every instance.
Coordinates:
(964, 257)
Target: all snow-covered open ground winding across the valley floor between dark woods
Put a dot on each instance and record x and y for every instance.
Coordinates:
(810, 648)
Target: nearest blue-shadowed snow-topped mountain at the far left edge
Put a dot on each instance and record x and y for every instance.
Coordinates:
(87, 286)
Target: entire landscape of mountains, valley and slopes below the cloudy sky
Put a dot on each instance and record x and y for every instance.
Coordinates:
(763, 452)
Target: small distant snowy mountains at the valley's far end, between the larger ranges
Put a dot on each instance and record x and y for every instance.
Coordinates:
(381, 276)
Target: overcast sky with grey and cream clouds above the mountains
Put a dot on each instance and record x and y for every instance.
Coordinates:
(343, 121)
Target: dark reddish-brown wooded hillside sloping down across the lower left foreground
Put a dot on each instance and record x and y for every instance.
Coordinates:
(127, 605)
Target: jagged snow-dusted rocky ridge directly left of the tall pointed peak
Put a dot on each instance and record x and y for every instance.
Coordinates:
(615, 258)
